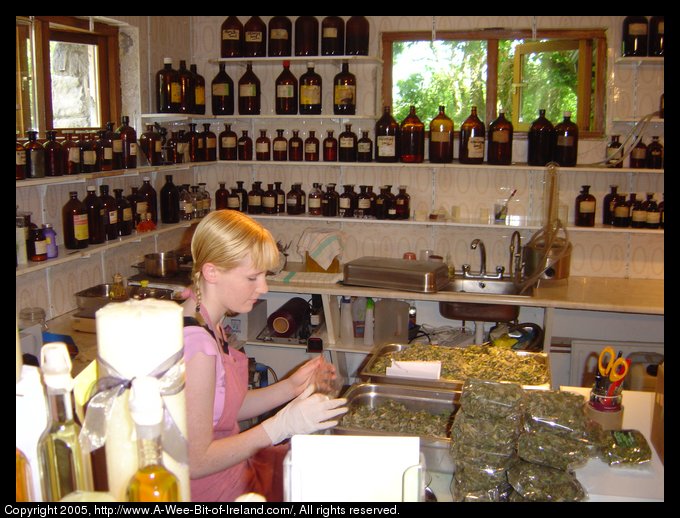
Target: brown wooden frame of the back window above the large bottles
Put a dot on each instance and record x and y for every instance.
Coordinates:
(588, 38)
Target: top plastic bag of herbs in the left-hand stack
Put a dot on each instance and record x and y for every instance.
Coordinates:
(484, 398)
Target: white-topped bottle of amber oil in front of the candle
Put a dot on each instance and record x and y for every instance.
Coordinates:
(152, 482)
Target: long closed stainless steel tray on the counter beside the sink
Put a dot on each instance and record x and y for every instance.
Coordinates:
(396, 274)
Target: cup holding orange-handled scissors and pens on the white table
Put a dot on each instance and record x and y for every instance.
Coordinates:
(605, 403)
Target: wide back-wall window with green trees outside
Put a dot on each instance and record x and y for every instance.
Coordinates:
(558, 70)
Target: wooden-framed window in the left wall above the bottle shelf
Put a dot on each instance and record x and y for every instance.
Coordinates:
(67, 74)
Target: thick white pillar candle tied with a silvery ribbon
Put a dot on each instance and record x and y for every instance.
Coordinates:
(134, 338)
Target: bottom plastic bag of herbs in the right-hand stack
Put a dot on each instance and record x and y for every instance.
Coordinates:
(538, 483)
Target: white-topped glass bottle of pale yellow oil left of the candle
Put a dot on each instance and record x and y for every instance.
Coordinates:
(63, 467)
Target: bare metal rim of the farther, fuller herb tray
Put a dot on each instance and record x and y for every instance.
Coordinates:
(369, 372)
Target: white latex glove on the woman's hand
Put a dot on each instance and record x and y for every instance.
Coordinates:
(307, 413)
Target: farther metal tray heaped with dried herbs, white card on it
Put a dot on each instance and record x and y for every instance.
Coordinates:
(486, 362)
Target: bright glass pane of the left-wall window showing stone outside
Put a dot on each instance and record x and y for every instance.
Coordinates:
(75, 90)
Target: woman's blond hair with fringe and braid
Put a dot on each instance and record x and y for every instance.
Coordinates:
(226, 237)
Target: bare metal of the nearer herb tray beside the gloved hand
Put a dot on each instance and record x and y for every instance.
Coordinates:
(435, 449)
